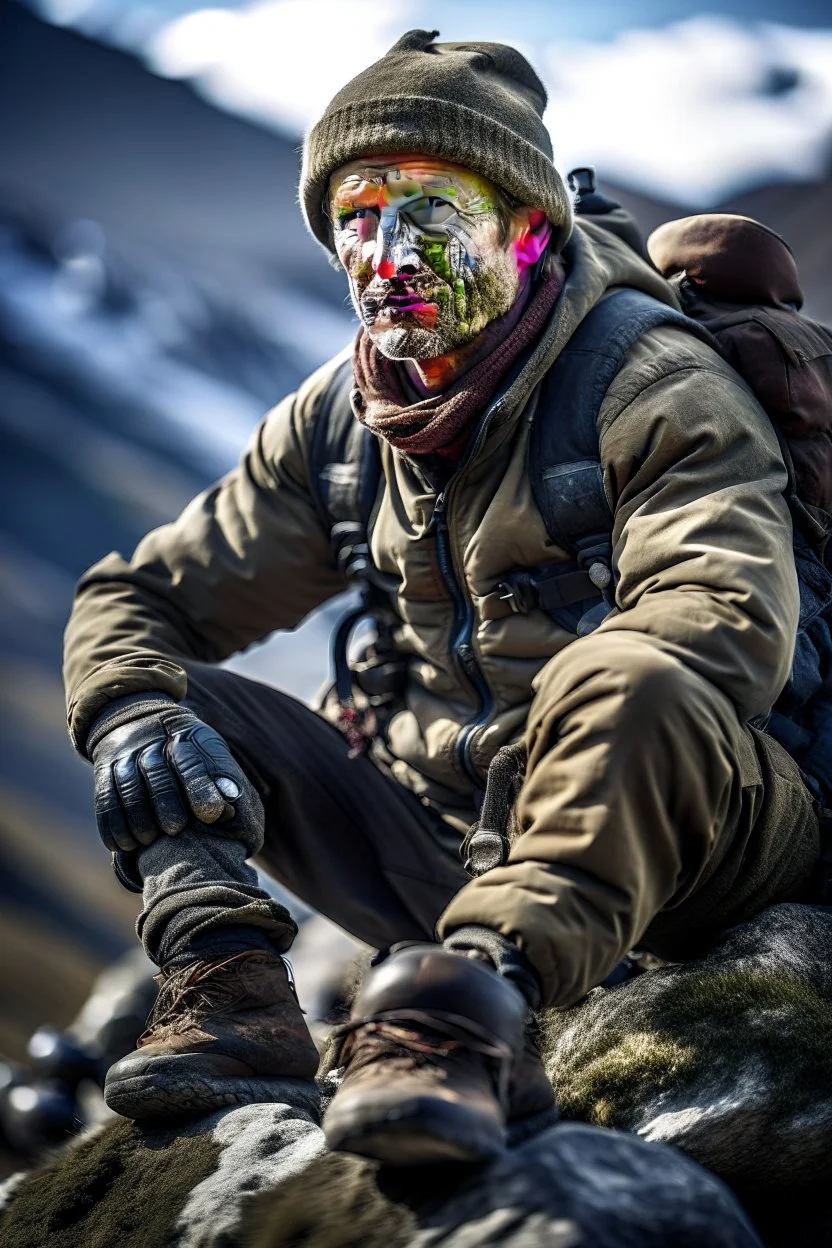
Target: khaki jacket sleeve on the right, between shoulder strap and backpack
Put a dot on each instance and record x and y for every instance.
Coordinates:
(703, 536)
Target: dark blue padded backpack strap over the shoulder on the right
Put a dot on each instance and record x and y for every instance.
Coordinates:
(566, 467)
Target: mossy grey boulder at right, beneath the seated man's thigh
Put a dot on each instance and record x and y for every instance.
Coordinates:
(729, 1058)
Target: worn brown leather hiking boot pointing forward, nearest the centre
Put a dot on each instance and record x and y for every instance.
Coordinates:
(430, 1055)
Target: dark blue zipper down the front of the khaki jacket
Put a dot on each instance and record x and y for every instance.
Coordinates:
(463, 630)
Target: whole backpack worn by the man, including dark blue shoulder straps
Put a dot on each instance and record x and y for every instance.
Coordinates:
(785, 359)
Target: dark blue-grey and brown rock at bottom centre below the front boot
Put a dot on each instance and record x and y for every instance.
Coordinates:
(569, 1187)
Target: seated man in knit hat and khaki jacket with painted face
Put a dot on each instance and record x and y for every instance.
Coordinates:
(649, 809)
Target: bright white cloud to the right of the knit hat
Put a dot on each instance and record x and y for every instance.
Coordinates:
(694, 110)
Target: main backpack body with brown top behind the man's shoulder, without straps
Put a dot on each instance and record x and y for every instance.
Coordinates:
(739, 280)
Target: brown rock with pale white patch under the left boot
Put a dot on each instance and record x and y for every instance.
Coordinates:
(160, 1185)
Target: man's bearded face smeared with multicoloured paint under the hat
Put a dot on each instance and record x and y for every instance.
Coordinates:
(433, 253)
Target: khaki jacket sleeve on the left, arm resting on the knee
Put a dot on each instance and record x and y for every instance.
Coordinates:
(249, 556)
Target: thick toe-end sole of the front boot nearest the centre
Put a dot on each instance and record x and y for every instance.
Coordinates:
(416, 1133)
